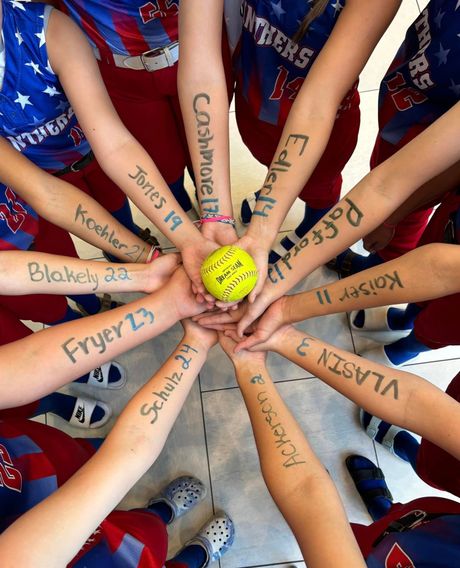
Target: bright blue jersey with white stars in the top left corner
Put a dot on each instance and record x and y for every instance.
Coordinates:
(35, 115)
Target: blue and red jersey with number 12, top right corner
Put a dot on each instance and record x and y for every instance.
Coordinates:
(423, 82)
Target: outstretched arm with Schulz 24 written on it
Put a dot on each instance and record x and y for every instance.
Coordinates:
(60, 525)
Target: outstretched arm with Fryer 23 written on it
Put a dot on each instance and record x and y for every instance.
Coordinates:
(74, 348)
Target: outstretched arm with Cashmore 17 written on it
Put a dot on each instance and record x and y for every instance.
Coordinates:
(204, 104)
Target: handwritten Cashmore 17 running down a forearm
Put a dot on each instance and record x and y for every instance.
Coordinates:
(210, 203)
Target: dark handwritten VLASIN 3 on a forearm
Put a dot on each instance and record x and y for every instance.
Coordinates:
(349, 370)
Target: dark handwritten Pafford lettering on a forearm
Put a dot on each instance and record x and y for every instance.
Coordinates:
(353, 216)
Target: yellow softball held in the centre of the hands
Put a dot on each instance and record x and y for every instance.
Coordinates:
(229, 273)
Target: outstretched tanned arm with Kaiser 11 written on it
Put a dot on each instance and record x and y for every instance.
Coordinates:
(403, 279)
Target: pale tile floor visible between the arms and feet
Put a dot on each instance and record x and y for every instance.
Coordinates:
(212, 438)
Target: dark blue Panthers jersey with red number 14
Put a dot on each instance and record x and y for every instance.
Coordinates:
(272, 67)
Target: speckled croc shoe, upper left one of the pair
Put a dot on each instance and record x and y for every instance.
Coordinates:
(181, 495)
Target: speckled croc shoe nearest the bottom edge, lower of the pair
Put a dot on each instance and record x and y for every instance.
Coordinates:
(215, 538)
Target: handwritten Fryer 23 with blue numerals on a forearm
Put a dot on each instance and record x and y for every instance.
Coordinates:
(76, 349)
